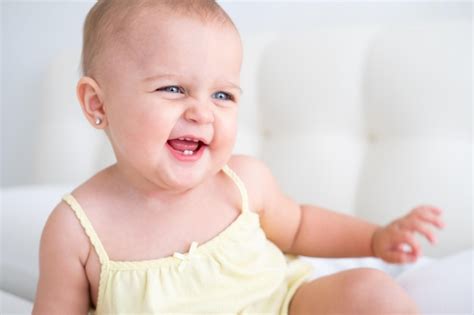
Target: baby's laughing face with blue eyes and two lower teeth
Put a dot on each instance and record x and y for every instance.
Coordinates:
(171, 97)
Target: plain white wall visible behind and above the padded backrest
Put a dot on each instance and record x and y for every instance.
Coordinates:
(34, 32)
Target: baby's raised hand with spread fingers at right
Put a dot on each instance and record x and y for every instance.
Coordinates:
(395, 243)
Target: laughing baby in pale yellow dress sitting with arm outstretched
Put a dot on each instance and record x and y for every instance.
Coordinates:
(178, 224)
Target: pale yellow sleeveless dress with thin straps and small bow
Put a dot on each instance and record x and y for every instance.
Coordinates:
(239, 271)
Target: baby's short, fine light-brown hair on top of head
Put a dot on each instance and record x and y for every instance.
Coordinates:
(107, 19)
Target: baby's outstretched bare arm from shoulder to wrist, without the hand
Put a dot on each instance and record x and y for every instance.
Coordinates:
(303, 230)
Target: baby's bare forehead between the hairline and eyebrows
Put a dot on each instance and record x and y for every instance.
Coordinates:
(156, 40)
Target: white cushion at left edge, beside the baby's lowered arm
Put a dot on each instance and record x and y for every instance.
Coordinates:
(24, 213)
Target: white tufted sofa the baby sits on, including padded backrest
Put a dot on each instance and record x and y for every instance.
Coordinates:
(366, 121)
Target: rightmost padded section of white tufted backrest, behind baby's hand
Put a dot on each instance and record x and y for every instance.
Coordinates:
(418, 112)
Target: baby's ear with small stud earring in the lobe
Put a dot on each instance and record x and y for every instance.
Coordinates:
(89, 95)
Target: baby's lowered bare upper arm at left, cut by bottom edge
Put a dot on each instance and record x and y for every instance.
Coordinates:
(63, 287)
